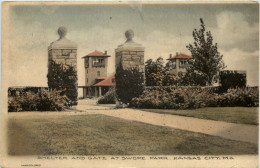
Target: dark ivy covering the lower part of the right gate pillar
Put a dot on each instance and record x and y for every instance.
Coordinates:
(129, 83)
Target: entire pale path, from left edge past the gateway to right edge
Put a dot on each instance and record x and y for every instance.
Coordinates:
(239, 132)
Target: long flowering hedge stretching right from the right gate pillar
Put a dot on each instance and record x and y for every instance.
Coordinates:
(194, 97)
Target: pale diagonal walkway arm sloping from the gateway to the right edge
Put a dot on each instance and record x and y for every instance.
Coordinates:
(239, 132)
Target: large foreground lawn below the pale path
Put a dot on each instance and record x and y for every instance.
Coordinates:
(102, 135)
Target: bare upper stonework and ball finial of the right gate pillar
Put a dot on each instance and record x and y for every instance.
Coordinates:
(130, 54)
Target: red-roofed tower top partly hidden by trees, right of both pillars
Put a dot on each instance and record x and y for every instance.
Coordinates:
(178, 63)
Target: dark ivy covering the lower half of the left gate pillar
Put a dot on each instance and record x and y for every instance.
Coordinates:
(63, 77)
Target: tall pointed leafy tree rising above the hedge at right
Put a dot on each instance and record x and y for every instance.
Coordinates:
(206, 61)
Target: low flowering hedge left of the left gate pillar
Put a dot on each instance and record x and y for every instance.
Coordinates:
(41, 101)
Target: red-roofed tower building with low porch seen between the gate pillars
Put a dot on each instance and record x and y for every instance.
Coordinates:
(96, 81)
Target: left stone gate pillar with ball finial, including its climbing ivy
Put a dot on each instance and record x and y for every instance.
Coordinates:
(63, 51)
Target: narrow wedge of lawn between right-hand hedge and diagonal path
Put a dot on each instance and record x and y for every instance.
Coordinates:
(241, 115)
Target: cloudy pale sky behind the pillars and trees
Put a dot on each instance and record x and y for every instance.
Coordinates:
(161, 28)
